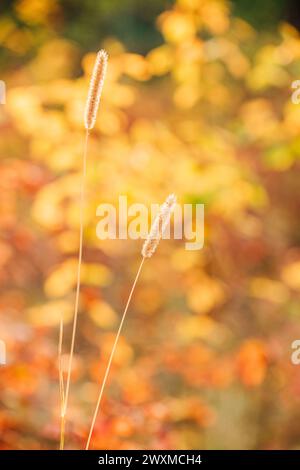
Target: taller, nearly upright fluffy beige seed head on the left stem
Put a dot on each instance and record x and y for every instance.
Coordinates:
(95, 89)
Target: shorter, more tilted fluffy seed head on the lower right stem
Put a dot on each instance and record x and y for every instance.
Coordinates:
(158, 227)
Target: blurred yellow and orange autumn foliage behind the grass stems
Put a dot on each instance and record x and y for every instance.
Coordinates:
(197, 101)
